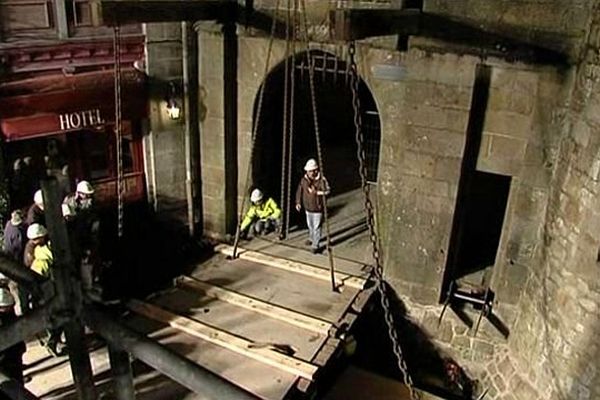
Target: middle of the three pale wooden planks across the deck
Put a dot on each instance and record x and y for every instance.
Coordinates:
(259, 306)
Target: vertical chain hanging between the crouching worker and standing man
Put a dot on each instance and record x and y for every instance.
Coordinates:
(284, 129)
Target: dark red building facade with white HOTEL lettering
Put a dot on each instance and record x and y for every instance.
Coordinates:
(57, 113)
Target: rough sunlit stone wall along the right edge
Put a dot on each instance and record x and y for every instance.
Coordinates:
(555, 339)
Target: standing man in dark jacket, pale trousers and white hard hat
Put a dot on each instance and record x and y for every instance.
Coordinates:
(312, 189)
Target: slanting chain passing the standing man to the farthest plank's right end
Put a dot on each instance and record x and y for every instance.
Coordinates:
(313, 99)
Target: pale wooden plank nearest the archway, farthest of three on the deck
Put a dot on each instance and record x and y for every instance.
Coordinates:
(293, 266)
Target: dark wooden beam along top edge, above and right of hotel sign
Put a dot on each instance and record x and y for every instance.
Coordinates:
(113, 12)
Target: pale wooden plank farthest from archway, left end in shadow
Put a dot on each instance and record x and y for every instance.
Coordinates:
(224, 339)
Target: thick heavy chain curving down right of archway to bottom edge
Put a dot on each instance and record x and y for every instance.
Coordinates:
(383, 295)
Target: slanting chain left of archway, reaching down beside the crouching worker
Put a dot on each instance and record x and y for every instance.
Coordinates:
(255, 127)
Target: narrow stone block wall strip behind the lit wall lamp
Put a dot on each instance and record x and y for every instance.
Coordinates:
(165, 142)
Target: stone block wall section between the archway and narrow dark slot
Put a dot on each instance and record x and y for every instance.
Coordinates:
(424, 118)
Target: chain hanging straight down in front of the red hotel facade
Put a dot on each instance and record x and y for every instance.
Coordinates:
(118, 129)
